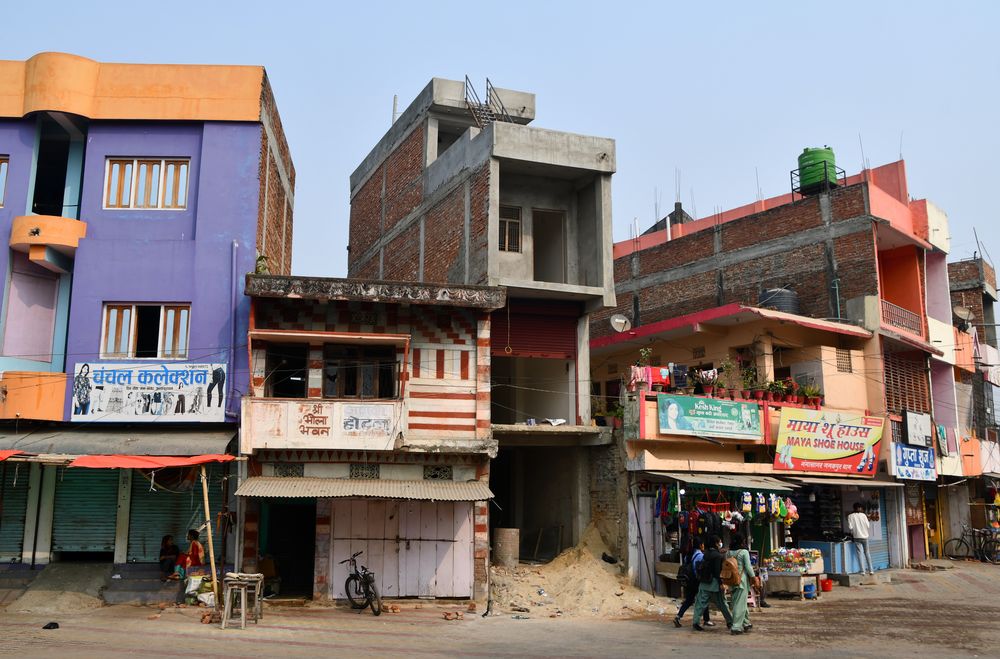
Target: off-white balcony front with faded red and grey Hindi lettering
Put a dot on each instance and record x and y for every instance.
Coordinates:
(302, 423)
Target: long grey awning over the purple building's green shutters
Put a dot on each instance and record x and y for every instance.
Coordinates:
(122, 441)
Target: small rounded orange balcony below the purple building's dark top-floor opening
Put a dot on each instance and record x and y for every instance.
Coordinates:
(49, 240)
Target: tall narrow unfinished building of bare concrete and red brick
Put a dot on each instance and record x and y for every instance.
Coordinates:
(463, 191)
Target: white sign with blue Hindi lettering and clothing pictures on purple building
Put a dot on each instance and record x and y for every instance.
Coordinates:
(149, 392)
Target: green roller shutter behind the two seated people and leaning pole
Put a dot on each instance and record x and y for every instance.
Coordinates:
(156, 513)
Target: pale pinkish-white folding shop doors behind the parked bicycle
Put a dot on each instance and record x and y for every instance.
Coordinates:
(415, 548)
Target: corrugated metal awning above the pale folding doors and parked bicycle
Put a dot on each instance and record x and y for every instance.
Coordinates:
(296, 487)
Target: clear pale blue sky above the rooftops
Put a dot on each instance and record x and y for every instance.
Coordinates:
(721, 94)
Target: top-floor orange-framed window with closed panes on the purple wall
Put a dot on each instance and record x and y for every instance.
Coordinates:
(142, 183)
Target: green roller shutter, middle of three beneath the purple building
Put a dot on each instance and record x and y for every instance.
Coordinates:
(85, 510)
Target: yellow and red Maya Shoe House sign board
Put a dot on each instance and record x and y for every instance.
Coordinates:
(828, 442)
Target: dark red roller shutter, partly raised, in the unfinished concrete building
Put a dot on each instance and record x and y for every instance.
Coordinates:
(535, 331)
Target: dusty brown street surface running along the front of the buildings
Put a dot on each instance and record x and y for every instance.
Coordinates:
(948, 613)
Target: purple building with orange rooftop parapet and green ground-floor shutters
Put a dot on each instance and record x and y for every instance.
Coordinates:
(136, 199)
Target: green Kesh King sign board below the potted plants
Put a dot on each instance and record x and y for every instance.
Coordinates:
(709, 417)
